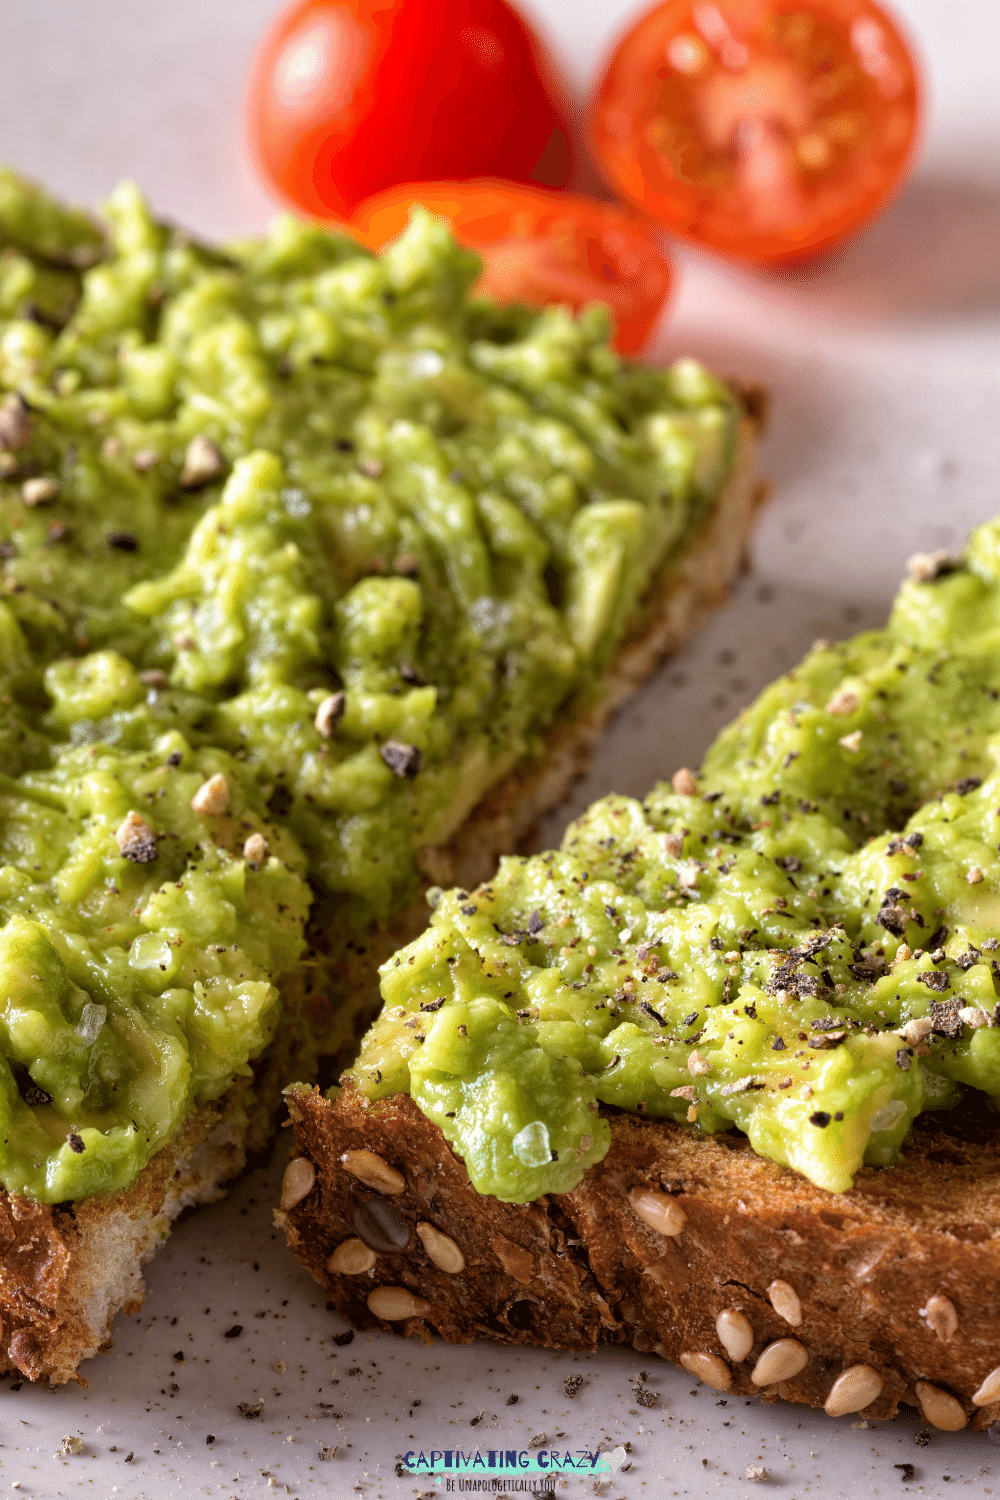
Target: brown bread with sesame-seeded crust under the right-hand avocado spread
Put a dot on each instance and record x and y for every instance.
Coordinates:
(692, 1247)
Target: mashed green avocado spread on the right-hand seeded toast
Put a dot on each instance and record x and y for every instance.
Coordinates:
(801, 944)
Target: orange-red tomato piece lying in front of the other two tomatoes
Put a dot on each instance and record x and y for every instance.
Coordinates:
(540, 247)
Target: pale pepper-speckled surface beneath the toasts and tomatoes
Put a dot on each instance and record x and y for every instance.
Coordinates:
(885, 371)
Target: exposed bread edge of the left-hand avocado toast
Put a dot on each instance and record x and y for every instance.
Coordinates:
(67, 1270)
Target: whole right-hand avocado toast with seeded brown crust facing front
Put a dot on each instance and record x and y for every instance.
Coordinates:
(716, 1079)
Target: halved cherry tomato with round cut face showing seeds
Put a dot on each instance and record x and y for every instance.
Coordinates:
(768, 130)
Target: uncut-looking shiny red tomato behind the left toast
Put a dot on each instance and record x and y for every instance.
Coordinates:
(349, 97)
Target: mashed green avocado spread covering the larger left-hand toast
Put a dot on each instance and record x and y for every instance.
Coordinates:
(302, 550)
